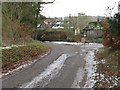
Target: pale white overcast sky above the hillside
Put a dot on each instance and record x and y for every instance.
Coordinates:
(61, 8)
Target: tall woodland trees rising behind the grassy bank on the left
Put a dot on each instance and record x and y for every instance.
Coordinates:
(20, 20)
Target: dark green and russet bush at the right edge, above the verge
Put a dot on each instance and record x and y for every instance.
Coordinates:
(111, 33)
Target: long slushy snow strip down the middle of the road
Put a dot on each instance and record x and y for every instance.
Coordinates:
(50, 72)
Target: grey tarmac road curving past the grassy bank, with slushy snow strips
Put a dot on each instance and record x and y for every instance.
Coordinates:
(63, 67)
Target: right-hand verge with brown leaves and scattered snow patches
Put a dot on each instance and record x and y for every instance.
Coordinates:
(107, 68)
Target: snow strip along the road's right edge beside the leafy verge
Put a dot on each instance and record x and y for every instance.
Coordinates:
(91, 63)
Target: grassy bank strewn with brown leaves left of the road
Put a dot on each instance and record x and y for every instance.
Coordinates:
(18, 55)
